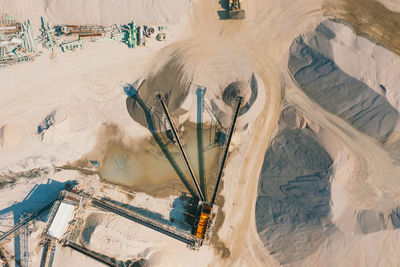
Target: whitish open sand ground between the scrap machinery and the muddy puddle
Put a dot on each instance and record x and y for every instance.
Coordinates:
(83, 89)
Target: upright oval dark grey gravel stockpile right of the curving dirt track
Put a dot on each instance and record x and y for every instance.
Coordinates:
(293, 203)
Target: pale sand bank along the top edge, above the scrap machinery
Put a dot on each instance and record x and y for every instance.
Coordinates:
(100, 12)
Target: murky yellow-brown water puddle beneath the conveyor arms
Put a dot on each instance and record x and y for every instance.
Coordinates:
(149, 170)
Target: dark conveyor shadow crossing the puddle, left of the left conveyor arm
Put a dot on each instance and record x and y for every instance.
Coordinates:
(147, 116)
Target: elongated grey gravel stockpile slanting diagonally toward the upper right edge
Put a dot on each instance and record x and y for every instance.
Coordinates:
(321, 79)
